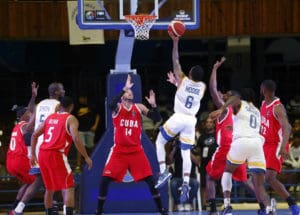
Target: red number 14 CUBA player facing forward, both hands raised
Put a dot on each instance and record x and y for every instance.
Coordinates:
(127, 152)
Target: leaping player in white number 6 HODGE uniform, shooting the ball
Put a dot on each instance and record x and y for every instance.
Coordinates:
(190, 90)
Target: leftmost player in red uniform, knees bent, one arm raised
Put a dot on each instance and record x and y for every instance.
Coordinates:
(18, 154)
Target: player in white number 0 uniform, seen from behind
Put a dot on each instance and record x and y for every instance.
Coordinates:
(247, 145)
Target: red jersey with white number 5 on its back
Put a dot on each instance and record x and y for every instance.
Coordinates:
(56, 134)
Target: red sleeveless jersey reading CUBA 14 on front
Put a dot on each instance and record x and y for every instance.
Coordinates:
(127, 128)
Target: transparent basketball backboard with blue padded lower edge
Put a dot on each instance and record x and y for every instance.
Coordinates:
(109, 14)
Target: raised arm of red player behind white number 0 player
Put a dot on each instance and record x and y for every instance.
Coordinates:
(218, 101)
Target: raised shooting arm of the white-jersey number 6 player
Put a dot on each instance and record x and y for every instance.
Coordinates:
(175, 58)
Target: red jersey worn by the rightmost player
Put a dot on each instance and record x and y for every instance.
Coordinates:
(270, 127)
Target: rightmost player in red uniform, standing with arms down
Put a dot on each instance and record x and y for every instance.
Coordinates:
(275, 128)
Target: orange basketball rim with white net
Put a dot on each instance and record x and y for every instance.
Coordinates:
(141, 24)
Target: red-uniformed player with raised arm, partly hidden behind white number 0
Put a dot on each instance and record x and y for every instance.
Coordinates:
(224, 123)
